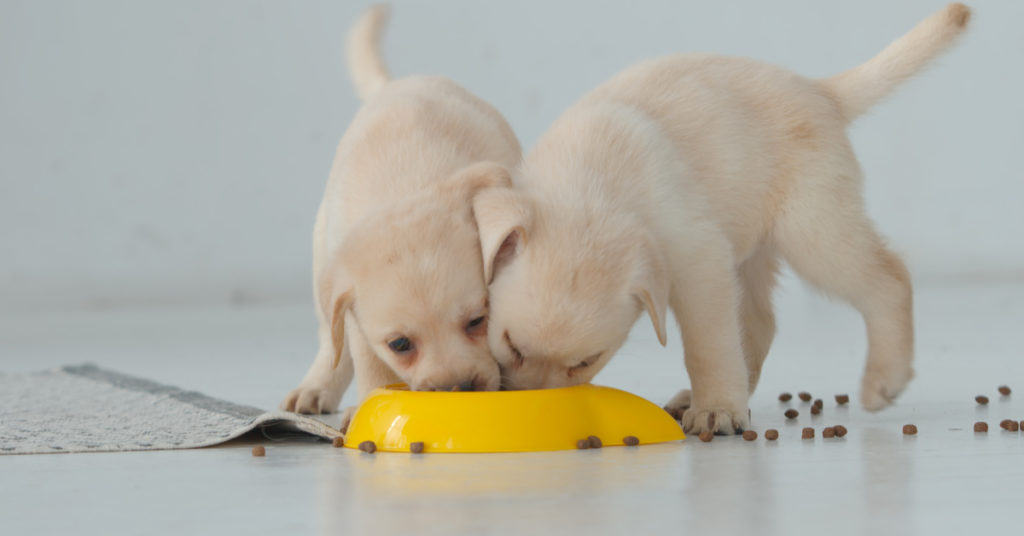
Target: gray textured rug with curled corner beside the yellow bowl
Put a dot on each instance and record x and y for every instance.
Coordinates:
(88, 409)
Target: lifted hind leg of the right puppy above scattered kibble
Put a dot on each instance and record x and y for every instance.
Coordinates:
(827, 238)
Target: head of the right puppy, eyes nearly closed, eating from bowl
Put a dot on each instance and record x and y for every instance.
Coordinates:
(566, 290)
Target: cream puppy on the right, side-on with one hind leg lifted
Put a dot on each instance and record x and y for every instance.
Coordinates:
(680, 184)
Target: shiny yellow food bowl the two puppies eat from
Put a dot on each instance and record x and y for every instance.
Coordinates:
(507, 421)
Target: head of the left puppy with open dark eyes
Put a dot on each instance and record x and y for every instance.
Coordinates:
(413, 279)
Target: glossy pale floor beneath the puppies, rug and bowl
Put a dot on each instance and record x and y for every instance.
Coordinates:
(946, 480)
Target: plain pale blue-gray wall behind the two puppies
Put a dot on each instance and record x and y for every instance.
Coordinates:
(174, 153)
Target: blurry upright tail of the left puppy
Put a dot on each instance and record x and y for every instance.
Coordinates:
(365, 64)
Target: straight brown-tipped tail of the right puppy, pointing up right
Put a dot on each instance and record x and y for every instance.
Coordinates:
(860, 89)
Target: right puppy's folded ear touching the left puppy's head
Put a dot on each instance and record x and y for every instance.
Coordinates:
(503, 218)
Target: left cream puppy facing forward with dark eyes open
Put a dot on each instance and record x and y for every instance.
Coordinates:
(398, 278)
